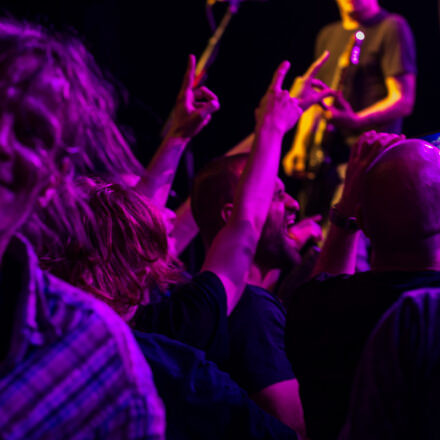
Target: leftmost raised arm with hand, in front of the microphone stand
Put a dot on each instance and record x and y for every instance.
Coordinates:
(192, 111)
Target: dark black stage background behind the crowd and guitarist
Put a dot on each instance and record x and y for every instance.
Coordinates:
(145, 46)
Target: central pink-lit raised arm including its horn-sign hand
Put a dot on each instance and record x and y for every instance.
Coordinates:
(232, 251)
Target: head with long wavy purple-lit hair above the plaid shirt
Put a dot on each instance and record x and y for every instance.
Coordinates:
(54, 102)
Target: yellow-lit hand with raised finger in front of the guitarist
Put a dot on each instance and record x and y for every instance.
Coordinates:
(307, 88)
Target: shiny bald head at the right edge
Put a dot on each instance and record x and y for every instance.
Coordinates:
(401, 202)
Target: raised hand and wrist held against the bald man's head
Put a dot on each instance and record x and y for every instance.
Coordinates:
(363, 154)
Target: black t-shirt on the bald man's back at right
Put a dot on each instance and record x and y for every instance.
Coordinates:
(328, 323)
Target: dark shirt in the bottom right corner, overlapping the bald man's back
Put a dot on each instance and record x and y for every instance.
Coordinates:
(396, 394)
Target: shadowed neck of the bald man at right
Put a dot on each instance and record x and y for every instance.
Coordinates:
(406, 261)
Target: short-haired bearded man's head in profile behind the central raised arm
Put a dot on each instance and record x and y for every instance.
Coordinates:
(212, 201)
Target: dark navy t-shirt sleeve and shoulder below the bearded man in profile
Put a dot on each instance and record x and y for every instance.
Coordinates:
(256, 341)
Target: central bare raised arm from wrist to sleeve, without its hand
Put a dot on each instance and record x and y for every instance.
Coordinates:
(232, 251)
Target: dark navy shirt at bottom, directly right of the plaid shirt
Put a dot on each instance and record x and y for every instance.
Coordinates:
(201, 401)
